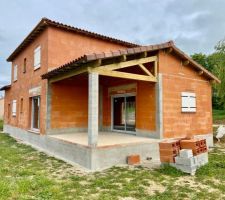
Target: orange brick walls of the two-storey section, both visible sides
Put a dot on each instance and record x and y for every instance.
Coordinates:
(57, 47)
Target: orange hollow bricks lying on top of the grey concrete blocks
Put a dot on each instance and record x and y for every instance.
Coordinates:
(197, 146)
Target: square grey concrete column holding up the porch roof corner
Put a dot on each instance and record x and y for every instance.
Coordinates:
(93, 88)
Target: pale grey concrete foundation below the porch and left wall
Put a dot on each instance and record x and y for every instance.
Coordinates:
(98, 158)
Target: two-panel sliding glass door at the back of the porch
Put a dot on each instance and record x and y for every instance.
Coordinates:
(124, 113)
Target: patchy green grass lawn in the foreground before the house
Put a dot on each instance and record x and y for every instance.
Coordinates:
(28, 174)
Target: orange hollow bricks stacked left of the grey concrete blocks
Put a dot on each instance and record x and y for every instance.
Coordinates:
(169, 150)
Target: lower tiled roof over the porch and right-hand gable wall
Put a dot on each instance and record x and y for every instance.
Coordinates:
(129, 51)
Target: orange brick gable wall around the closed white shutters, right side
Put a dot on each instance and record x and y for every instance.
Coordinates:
(177, 79)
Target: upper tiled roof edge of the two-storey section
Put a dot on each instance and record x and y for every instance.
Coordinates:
(44, 23)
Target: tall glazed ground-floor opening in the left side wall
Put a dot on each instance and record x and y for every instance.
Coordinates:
(35, 117)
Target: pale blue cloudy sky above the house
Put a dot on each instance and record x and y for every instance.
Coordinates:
(194, 25)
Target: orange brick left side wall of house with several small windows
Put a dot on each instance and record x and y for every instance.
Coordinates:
(25, 81)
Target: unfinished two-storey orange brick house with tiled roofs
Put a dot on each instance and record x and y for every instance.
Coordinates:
(68, 80)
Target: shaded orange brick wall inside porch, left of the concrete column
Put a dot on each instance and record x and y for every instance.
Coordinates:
(69, 104)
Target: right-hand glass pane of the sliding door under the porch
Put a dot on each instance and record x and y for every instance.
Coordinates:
(130, 113)
